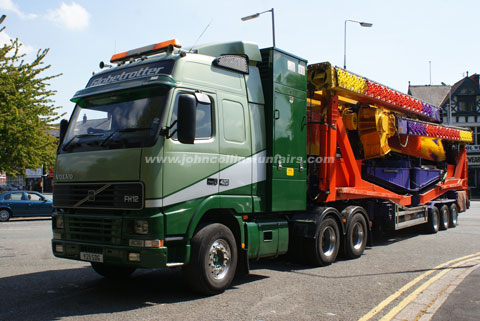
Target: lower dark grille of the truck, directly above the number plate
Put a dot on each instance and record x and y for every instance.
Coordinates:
(94, 229)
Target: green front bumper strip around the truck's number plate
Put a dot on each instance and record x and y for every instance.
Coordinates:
(113, 254)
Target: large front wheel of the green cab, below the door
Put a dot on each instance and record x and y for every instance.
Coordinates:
(213, 260)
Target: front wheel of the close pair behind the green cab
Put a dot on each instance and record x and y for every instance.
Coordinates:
(324, 248)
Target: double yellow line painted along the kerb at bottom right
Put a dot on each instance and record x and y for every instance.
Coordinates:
(446, 267)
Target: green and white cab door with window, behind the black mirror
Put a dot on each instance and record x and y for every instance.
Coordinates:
(191, 170)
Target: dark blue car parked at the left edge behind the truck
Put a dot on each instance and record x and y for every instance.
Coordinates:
(24, 203)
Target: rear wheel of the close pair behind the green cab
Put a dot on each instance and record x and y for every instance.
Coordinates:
(356, 238)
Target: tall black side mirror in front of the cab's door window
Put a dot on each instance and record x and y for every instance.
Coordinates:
(186, 120)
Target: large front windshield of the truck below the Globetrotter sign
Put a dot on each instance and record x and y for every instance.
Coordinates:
(117, 120)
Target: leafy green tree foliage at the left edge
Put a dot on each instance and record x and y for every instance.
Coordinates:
(27, 112)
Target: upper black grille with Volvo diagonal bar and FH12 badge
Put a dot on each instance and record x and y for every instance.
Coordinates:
(127, 196)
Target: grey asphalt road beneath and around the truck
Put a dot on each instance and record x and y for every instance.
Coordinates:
(36, 286)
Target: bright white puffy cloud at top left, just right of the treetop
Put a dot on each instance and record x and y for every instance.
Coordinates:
(73, 17)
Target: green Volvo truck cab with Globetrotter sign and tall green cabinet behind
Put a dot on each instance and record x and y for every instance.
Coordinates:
(166, 162)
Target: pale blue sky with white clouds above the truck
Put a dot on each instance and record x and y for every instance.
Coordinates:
(405, 36)
